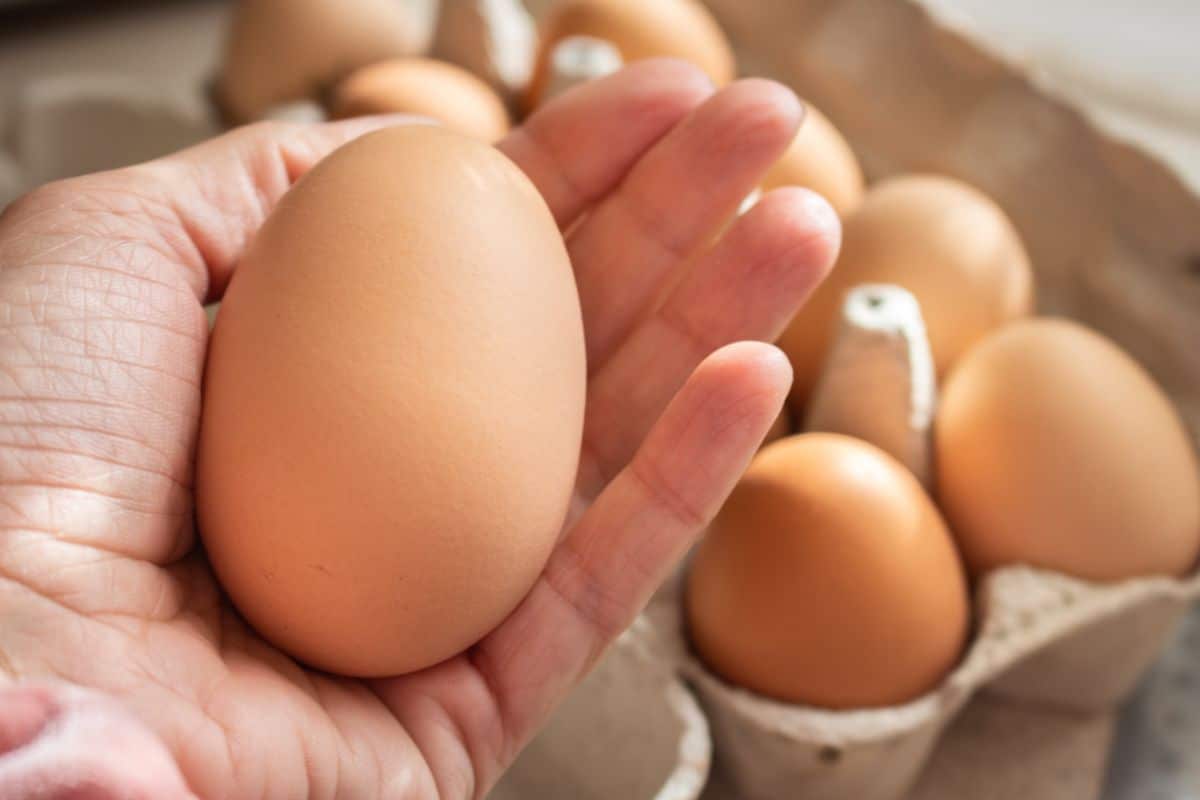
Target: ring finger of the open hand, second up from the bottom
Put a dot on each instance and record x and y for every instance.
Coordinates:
(748, 287)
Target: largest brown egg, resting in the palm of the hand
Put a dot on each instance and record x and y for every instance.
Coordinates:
(393, 406)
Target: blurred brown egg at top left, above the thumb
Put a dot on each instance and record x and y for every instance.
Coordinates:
(283, 51)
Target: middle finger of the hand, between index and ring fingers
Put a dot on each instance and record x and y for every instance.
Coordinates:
(673, 202)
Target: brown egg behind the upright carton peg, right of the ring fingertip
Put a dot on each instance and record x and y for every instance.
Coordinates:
(940, 239)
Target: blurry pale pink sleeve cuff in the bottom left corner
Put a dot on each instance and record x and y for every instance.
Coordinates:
(80, 744)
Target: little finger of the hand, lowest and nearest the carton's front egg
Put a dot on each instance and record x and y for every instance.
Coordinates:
(617, 555)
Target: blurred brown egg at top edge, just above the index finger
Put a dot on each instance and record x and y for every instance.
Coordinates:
(681, 29)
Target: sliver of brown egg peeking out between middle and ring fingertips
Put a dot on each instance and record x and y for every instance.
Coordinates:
(820, 159)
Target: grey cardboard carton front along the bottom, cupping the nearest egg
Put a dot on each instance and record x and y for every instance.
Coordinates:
(1028, 714)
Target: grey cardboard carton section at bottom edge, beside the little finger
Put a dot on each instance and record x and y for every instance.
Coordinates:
(632, 730)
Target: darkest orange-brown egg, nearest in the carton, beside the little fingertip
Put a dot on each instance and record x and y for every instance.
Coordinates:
(829, 580)
